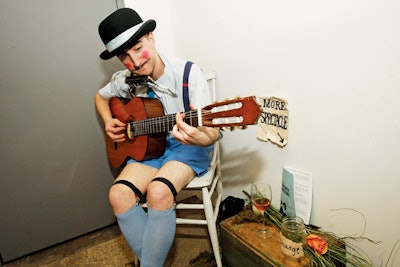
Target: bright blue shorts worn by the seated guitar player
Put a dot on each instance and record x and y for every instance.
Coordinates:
(196, 157)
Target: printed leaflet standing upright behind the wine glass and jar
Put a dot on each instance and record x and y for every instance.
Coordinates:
(296, 195)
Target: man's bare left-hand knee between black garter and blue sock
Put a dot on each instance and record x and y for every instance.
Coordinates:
(121, 198)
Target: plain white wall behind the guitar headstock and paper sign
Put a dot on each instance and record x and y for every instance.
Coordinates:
(337, 63)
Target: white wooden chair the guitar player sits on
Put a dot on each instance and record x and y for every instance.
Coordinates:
(211, 189)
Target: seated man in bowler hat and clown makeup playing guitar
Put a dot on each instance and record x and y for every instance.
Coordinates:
(126, 36)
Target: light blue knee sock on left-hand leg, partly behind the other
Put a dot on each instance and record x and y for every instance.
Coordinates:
(132, 224)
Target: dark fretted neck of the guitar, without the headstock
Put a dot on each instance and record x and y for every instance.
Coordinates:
(160, 124)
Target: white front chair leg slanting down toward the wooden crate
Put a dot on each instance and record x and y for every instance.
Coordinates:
(212, 229)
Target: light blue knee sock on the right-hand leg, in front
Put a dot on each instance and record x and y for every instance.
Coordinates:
(158, 237)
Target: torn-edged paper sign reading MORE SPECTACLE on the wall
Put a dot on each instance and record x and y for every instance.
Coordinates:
(273, 121)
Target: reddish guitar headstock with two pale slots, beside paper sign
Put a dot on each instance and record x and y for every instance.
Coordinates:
(238, 112)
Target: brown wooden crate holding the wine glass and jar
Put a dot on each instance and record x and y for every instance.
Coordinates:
(241, 247)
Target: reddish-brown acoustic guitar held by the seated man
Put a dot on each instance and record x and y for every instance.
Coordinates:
(147, 125)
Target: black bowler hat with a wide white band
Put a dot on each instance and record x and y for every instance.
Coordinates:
(122, 28)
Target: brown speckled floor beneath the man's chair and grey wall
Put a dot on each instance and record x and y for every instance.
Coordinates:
(107, 247)
